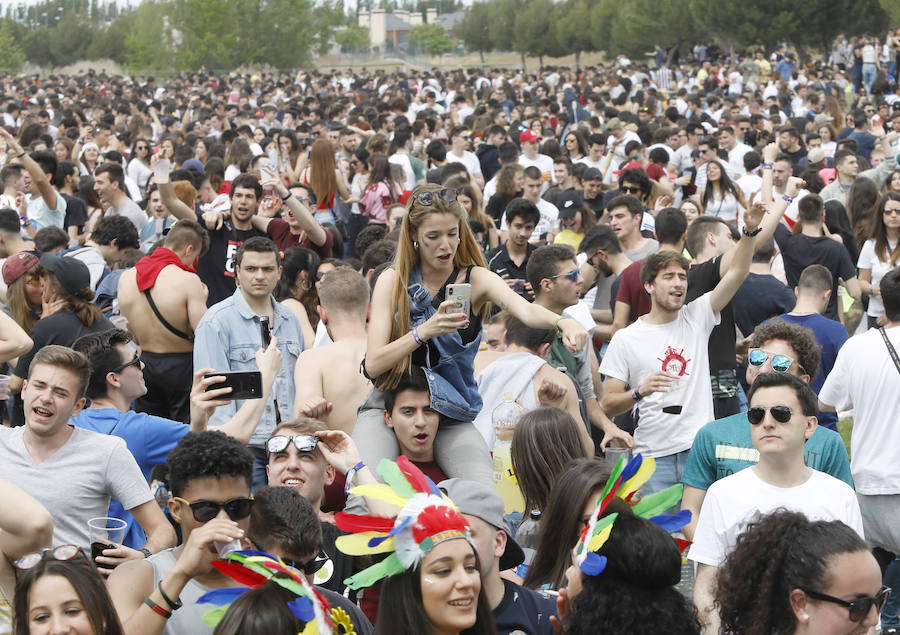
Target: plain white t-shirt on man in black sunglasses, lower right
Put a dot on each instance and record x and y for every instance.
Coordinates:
(736, 500)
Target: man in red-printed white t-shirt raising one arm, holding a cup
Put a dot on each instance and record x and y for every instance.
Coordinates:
(664, 358)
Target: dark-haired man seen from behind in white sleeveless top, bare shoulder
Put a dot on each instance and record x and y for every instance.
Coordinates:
(522, 372)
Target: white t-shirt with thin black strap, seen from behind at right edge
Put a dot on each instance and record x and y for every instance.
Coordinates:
(864, 378)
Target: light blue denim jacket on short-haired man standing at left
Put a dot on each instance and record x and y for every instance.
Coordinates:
(227, 339)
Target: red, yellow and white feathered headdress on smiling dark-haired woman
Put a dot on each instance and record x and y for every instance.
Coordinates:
(427, 517)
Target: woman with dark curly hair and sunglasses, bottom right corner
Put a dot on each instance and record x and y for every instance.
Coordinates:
(790, 574)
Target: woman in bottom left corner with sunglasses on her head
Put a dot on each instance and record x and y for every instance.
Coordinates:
(59, 591)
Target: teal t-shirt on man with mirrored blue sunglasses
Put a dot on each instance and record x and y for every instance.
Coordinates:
(725, 446)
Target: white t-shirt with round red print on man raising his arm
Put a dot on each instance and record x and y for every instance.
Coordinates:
(679, 347)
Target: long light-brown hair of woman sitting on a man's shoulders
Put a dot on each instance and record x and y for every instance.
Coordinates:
(407, 259)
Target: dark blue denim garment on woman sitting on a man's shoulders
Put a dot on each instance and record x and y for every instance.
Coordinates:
(450, 374)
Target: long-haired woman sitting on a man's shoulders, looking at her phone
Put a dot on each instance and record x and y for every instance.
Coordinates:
(412, 323)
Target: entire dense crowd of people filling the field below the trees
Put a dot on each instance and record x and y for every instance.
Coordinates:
(266, 325)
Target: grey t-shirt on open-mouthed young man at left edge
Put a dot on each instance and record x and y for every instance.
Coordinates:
(76, 482)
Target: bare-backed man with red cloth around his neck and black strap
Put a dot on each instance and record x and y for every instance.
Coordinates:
(164, 299)
